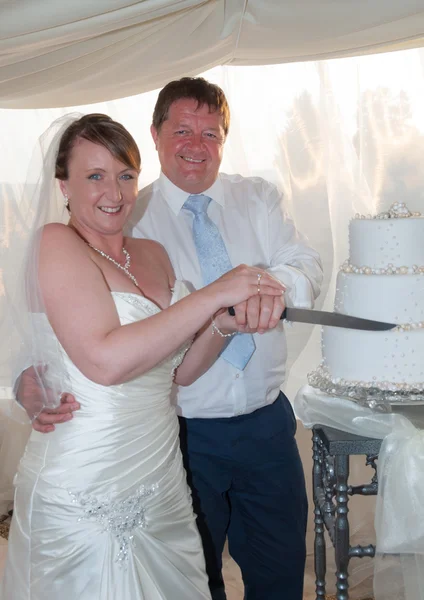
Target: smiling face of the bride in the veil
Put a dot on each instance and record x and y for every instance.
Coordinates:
(101, 189)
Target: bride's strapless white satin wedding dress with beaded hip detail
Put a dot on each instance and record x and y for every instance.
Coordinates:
(102, 508)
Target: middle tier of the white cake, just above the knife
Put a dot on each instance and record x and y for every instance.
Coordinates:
(394, 299)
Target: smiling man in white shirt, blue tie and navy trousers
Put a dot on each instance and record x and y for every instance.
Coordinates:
(237, 428)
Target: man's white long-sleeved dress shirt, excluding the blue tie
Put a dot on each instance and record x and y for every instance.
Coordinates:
(248, 213)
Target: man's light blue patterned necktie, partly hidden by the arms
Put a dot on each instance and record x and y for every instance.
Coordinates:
(214, 262)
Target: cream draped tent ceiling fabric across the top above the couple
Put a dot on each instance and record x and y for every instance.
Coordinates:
(67, 53)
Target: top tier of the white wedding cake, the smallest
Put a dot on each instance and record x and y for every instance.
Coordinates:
(377, 243)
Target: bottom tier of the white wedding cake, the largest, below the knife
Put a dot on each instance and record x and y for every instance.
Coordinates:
(388, 360)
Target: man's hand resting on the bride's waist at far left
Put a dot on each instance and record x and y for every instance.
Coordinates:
(30, 396)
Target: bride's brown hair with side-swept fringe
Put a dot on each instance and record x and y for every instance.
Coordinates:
(99, 129)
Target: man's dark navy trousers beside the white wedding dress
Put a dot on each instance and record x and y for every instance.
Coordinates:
(248, 484)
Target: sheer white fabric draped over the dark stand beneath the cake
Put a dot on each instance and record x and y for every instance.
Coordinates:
(399, 512)
